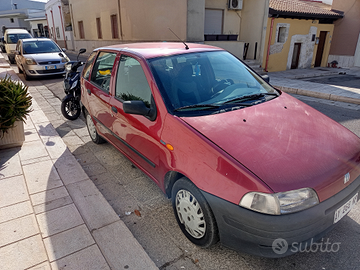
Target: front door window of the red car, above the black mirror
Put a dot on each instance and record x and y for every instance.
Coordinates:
(131, 82)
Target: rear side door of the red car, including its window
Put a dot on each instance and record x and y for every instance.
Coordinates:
(97, 91)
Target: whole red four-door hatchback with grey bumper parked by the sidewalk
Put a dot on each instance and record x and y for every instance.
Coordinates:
(243, 163)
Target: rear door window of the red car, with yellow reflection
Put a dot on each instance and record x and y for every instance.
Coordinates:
(101, 72)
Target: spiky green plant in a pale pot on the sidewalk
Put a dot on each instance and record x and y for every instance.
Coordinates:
(15, 103)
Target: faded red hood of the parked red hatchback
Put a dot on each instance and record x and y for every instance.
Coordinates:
(287, 144)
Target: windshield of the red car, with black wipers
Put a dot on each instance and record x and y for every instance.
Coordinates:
(208, 81)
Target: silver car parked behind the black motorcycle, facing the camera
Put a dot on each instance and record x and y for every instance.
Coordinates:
(37, 57)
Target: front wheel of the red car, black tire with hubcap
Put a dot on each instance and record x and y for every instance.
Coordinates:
(193, 214)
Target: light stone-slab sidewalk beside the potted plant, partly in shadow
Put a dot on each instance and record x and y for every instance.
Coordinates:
(52, 216)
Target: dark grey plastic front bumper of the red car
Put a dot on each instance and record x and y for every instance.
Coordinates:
(251, 232)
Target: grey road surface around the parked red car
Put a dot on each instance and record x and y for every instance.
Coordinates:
(127, 189)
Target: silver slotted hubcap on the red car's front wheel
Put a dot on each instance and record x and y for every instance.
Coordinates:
(190, 214)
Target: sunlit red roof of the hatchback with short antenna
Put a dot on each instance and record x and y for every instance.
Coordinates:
(158, 49)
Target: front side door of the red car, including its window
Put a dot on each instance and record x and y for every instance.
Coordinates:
(136, 135)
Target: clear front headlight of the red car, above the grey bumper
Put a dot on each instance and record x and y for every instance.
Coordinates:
(280, 203)
